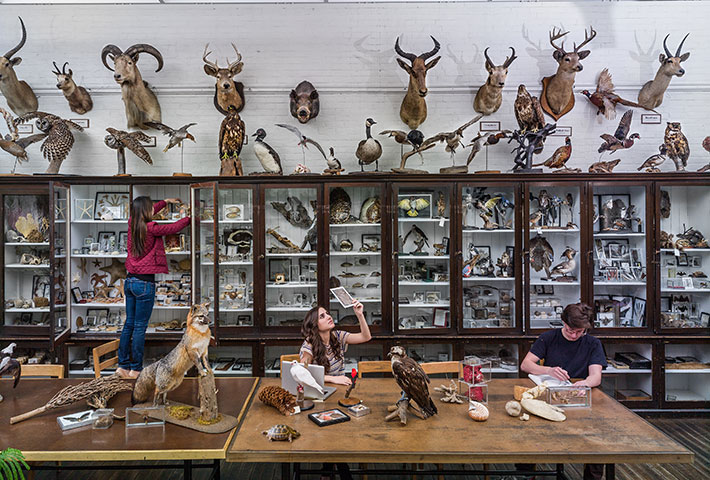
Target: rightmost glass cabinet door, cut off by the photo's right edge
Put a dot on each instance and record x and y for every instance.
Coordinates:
(684, 256)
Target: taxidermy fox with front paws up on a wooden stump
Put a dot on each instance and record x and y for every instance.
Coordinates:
(165, 375)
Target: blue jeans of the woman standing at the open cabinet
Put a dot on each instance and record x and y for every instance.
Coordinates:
(140, 297)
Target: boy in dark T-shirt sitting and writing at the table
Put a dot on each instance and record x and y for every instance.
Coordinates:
(568, 353)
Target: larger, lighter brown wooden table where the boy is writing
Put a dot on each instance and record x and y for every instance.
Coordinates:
(607, 433)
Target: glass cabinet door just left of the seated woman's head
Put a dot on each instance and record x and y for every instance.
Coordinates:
(291, 237)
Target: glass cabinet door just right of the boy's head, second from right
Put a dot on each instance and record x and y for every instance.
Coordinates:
(619, 252)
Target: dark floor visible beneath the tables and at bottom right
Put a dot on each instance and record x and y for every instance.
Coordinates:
(693, 433)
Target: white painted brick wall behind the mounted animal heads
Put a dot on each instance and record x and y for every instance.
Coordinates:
(346, 51)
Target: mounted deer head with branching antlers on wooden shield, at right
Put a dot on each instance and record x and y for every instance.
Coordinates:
(557, 97)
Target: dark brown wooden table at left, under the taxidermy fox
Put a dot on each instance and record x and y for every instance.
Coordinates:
(40, 439)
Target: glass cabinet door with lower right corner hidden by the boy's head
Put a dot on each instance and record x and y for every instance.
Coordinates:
(552, 252)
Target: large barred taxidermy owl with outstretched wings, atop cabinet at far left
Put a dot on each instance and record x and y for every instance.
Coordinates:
(59, 141)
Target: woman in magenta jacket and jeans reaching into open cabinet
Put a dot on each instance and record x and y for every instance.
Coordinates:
(146, 257)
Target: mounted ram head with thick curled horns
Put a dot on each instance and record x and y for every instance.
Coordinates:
(141, 103)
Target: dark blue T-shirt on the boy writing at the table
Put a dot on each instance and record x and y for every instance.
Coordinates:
(575, 357)
